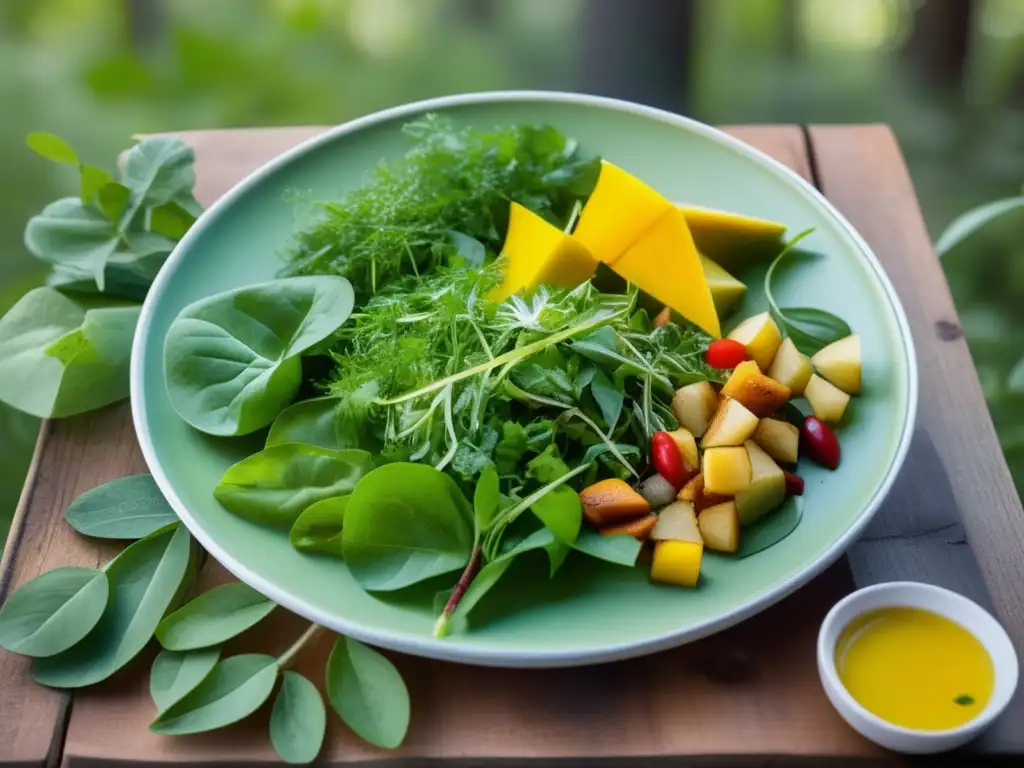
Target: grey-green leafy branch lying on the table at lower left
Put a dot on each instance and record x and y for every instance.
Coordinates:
(81, 626)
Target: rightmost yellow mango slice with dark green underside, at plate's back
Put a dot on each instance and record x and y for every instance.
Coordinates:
(732, 239)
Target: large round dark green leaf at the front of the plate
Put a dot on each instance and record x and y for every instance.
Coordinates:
(405, 524)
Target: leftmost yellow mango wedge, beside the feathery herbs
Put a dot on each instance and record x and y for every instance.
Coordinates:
(536, 252)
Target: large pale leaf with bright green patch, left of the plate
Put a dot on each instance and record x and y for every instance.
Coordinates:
(62, 356)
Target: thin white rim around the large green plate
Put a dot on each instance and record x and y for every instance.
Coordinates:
(429, 647)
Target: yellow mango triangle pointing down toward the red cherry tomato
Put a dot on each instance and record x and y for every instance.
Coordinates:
(664, 264)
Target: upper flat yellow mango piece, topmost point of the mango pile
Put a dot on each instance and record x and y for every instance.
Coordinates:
(620, 210)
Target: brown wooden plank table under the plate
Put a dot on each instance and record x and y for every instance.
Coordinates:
(954, 520)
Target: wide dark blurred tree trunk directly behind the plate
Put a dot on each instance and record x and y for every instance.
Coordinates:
(639, 51)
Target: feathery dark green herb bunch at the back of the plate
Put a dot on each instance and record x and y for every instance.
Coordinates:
(448, 197)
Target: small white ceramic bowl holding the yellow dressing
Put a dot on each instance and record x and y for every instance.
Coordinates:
(950, 605)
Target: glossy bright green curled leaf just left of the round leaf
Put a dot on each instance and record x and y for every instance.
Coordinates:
(277, 485)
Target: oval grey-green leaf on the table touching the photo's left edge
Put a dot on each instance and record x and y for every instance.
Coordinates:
(53, 612)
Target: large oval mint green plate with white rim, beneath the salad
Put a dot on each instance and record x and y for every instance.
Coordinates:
(589, 613)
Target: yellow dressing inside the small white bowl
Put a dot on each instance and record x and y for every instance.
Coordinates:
(915, 669)
